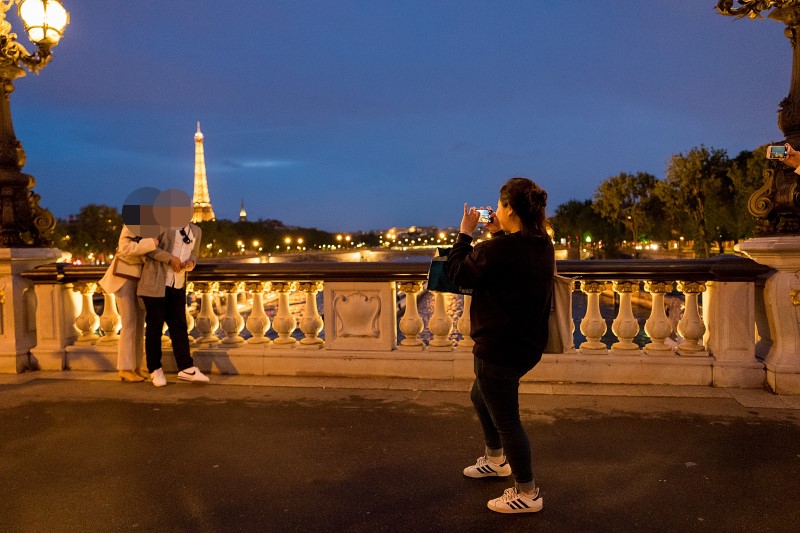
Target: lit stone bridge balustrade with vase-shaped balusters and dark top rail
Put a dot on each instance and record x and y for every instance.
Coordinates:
(720, 339)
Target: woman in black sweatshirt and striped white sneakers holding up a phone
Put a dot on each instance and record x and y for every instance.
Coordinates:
(511, 277)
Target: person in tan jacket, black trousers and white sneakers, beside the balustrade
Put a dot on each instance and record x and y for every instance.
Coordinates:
(163, 291)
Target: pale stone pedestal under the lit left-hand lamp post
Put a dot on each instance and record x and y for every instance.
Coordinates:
(18, 305)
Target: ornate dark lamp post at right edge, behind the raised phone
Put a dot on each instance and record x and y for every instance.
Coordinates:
(777, 203)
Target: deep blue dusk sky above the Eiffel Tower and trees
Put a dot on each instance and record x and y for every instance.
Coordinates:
(356, 115)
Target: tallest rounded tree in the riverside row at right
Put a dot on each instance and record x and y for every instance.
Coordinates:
(697, 184)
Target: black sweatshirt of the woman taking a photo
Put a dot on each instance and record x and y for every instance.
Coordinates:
(512, 280)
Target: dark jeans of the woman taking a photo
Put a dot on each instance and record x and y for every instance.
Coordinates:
(495, 395)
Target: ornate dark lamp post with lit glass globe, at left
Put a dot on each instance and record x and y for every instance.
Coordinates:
(22, 222)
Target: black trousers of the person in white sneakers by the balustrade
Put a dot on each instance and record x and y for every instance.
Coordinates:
(172, 310)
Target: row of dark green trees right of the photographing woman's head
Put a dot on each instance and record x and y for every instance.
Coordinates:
(702, 198)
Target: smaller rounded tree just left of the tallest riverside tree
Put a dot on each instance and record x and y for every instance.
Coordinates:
(626, 198)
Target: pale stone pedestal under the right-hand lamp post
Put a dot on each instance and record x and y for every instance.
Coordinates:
(782, 303)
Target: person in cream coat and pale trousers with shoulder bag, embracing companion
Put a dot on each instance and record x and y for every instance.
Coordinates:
(130, 352)
